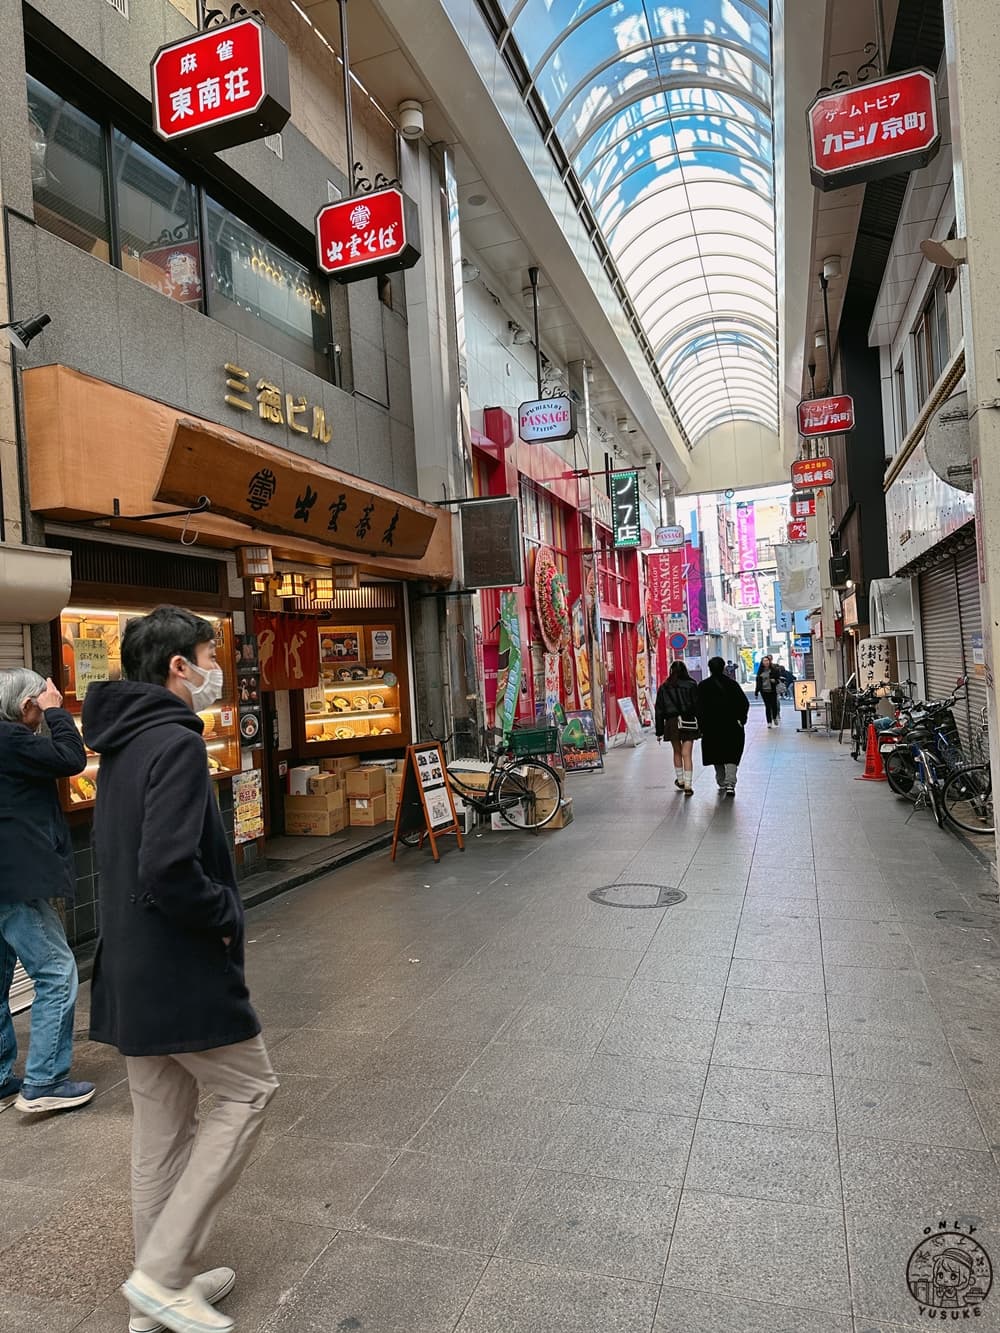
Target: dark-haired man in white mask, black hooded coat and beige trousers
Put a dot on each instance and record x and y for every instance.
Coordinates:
(169, 980)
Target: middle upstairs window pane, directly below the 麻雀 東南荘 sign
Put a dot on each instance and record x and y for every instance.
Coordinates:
(158, 223)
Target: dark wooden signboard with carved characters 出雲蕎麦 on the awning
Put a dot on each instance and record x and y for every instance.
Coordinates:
(278, 493)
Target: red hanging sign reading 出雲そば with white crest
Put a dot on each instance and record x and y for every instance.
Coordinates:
(367, 235)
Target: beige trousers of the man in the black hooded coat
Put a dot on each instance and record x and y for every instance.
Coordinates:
(185, 1166)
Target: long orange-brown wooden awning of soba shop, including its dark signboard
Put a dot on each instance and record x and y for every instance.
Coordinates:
(93, 443)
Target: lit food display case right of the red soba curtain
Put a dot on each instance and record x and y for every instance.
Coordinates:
(363, 699)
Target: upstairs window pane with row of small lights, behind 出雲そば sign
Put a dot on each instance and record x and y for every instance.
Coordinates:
(262, 293)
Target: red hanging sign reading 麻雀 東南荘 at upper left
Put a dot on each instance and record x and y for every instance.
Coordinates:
(227, 86)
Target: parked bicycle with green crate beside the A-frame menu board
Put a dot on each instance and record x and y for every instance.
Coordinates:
(521, 787)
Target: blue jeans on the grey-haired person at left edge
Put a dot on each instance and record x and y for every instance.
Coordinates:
(34, 932)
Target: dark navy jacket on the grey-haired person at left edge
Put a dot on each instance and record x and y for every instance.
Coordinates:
(37, 856)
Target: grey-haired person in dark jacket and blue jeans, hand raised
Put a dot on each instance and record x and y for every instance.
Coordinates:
(37, 866)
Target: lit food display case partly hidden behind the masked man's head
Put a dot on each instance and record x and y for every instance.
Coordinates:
(90, 651)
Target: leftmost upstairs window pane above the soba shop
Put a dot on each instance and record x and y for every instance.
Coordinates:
(69, 173)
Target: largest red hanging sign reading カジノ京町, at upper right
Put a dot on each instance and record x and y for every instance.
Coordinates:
(874, 130)
